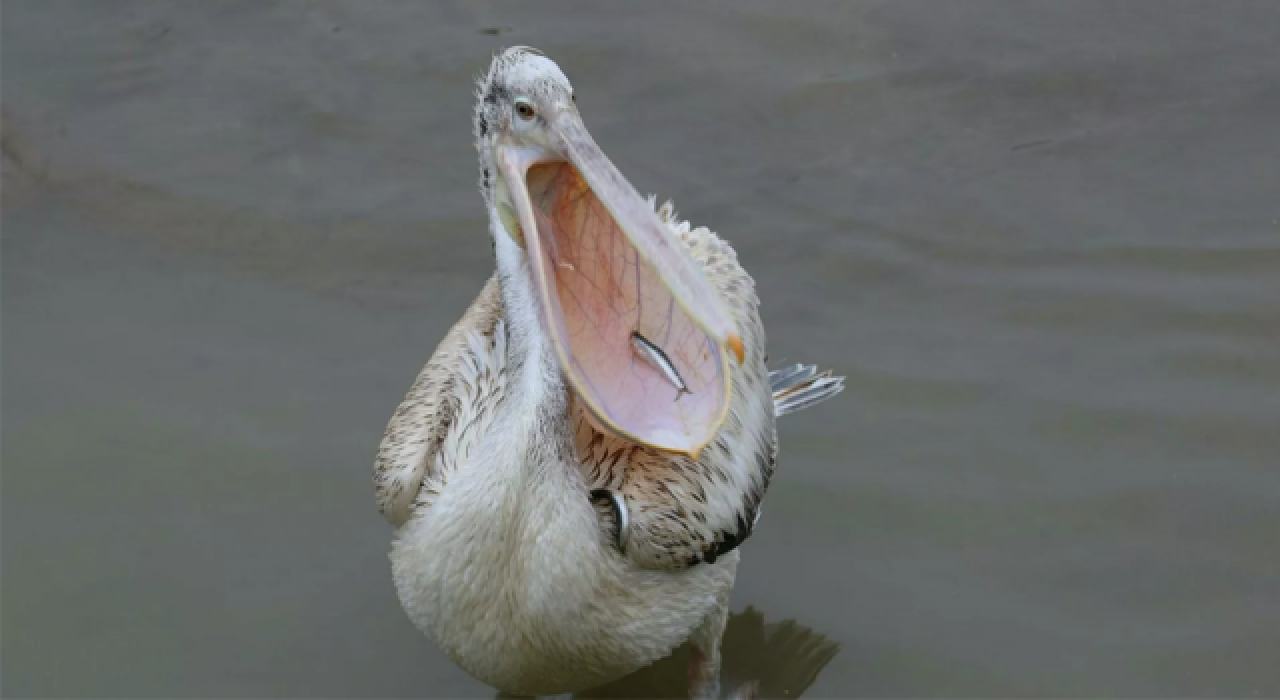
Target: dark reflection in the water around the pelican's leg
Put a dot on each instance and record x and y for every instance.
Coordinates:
(784, 658)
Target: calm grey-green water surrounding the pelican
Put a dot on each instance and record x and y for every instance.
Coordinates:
(1043, 240)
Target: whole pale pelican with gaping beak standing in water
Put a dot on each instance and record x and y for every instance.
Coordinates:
(572, 474)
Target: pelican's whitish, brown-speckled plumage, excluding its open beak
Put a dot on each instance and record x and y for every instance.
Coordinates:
(501, 555)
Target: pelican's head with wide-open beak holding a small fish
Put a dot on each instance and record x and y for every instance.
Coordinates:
(606, 273)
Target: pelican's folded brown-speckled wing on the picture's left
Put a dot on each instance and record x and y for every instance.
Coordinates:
(450, 390)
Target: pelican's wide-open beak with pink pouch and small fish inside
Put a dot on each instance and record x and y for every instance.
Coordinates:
(606, 268)
